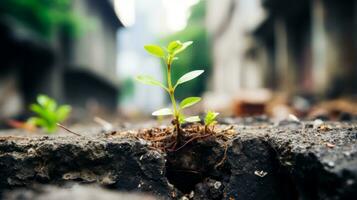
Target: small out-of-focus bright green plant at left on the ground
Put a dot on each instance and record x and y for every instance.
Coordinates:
(48, 113)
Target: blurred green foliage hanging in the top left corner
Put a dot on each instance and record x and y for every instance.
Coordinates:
(43, 16)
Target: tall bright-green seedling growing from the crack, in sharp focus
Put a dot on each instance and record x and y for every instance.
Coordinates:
(169, 54)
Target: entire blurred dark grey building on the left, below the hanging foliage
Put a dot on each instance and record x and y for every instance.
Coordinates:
(79, 70)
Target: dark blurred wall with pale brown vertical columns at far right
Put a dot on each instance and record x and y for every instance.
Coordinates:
(312, 46)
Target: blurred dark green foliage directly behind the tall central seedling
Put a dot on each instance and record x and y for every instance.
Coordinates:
(196, 57)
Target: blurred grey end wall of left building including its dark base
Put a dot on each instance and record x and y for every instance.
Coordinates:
(90, 79)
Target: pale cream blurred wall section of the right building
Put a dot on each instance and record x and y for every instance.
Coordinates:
(229, 23)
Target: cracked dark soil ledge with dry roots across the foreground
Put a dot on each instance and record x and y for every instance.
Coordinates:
(247, 159)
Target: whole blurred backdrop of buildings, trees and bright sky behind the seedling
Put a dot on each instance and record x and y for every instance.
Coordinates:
(261, 57)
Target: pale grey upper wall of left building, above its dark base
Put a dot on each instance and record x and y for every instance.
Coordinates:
(96, 49)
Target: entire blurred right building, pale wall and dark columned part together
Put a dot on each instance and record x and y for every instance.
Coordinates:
(297, 47)
